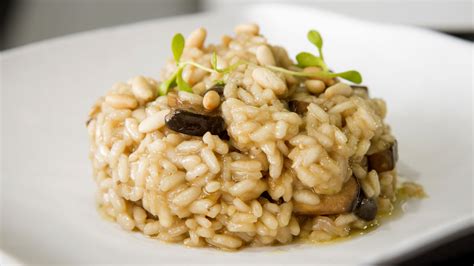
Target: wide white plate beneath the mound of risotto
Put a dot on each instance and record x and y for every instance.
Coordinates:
(48, 211)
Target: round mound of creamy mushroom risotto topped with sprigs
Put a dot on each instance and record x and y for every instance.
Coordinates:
(238, 145)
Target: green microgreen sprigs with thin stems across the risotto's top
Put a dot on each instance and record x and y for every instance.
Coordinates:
(304, 59)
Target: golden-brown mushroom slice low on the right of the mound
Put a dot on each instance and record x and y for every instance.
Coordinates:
(342, 202)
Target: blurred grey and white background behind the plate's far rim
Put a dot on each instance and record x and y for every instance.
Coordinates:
(27, 21)
